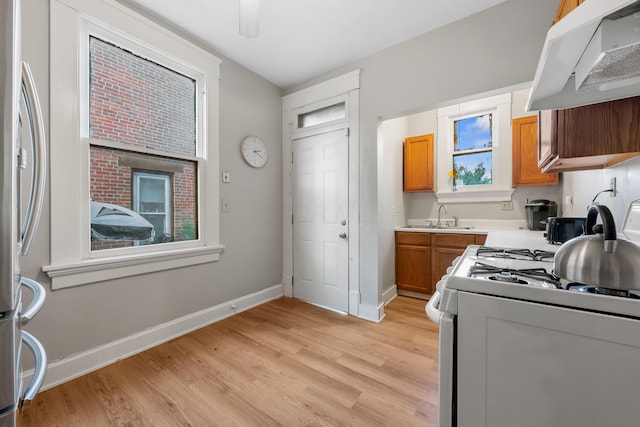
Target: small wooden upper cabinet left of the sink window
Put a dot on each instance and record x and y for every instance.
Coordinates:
(418, 164)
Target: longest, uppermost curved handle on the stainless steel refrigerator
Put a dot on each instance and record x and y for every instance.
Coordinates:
(36, 126)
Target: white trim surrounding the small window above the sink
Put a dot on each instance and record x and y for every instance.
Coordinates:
(500, 189)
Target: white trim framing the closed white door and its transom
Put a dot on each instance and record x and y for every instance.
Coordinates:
(347, 87)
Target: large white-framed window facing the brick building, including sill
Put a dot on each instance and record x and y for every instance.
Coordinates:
(136, 119)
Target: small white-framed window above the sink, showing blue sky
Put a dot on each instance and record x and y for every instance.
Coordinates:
(474, 151)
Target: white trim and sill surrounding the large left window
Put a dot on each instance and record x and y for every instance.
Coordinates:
(72, 262)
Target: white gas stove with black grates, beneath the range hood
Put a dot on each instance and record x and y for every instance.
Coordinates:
(515, 340)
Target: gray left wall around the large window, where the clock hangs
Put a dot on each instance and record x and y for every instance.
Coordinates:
(80, 318)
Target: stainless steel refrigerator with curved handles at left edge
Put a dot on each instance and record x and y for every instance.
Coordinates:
(22, 179)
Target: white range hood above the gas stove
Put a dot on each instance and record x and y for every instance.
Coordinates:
(591, 55)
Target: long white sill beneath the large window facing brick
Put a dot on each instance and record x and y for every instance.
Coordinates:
(97, 270)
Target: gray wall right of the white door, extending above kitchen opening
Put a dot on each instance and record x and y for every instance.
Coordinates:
(494, 49)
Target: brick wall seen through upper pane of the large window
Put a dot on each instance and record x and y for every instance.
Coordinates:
(137, 102)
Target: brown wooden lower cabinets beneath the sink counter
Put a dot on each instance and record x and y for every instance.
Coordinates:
(423, 258)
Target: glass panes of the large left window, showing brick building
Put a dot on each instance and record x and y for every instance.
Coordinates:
(149, 111)
